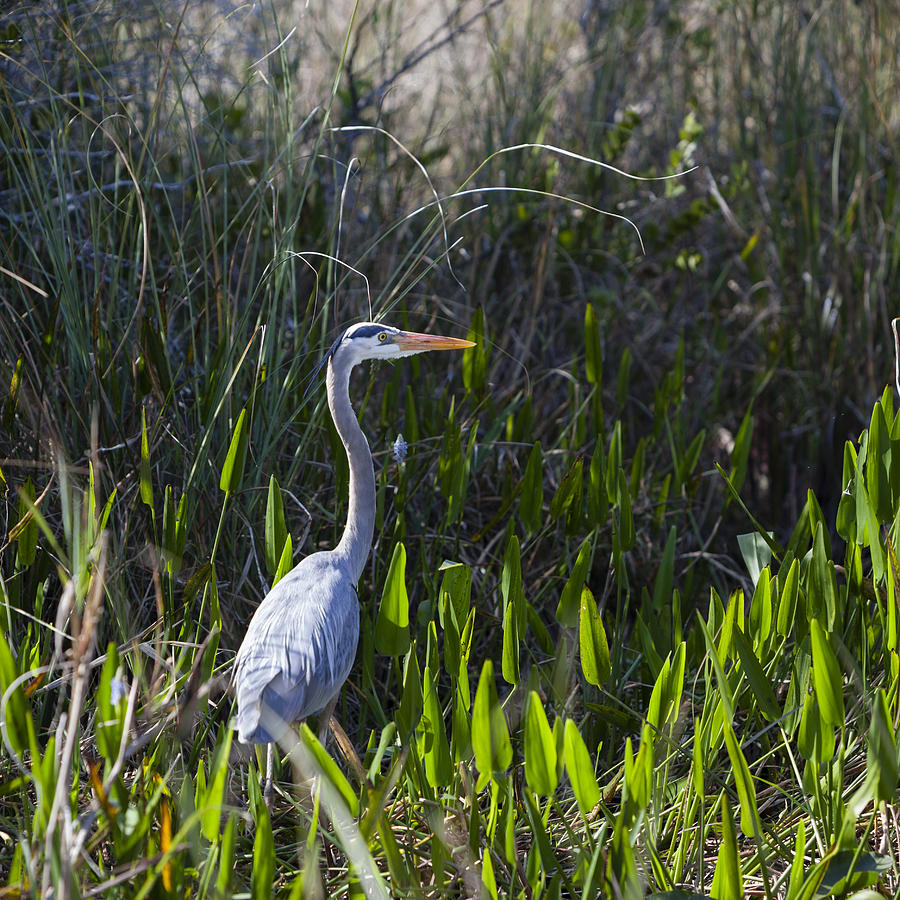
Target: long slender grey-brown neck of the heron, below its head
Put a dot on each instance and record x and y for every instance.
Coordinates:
(356, 541)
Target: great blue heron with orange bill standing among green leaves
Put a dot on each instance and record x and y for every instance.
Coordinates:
(301, 641)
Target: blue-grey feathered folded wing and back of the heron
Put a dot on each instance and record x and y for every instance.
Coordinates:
(298, 649)
